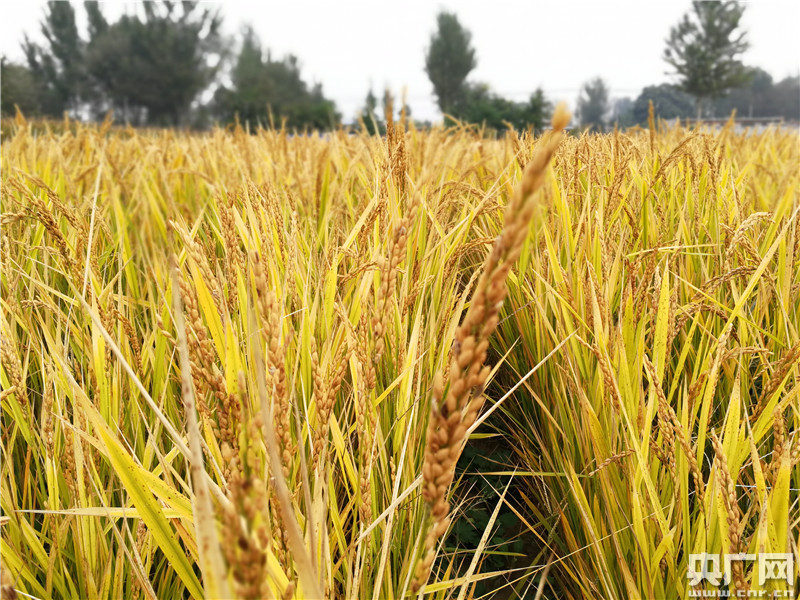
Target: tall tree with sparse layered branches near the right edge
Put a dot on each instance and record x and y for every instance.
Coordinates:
(703, 49)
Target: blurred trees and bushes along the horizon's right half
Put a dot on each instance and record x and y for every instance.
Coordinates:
(703, 48)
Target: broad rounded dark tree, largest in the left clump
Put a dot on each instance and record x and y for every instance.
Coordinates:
(152, 69)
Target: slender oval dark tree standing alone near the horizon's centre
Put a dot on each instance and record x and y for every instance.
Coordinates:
(448, 60)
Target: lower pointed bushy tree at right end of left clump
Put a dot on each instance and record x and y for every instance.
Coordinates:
(260, 88)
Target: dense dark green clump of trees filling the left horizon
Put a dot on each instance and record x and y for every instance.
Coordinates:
(164, 66)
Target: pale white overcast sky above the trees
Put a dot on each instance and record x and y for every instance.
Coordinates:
(348, 44)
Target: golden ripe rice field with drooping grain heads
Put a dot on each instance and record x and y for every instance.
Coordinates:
(245, 364)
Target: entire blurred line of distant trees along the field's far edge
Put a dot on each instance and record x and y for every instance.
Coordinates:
(169, 65)
